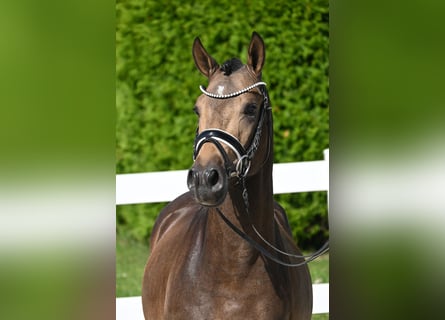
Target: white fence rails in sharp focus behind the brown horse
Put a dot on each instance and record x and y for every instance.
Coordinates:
(152, 187)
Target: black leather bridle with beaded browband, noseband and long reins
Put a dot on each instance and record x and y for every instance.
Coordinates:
(241, 167)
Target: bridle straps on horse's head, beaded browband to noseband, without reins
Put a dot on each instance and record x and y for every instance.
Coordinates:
(218, 137)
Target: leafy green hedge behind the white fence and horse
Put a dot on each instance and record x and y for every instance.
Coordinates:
(157, 85)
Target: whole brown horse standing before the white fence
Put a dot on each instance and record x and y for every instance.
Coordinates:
(206, 261)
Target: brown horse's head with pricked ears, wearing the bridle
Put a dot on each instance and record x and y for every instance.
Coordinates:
(231, 112)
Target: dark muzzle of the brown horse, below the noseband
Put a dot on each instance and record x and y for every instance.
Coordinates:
(208, 184)
